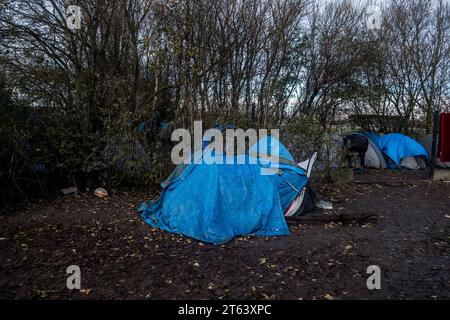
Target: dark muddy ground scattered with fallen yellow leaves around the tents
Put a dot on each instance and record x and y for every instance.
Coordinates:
(122, 258)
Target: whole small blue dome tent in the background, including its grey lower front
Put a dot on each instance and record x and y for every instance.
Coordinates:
(403, 151)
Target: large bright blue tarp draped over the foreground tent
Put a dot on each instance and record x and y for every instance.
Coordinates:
(217, 202)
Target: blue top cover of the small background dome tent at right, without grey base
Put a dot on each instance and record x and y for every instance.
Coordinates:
(398, 146)
